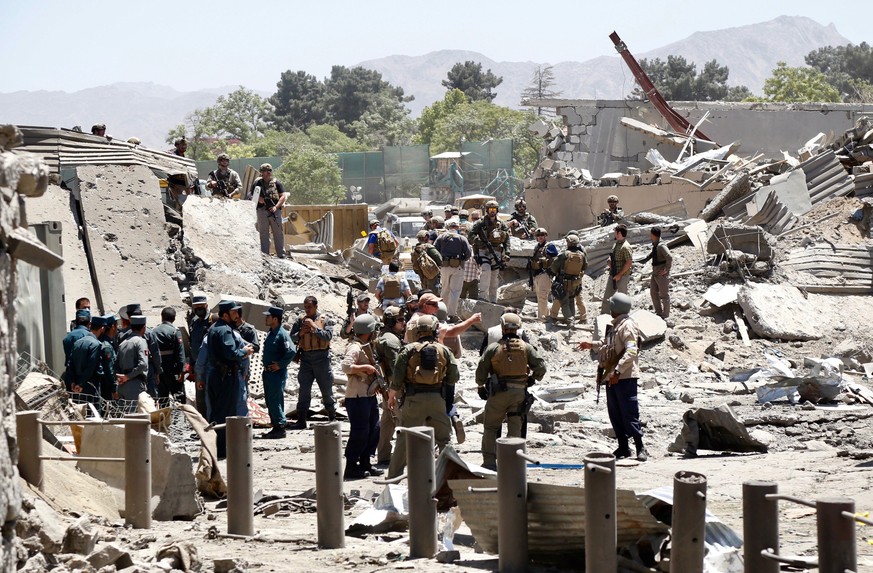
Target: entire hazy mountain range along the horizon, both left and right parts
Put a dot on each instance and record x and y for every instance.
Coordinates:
(149, 111)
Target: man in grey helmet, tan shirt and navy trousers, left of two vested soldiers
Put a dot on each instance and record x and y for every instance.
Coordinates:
(359, 364)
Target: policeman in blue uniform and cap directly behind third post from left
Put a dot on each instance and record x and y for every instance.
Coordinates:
(225, 352)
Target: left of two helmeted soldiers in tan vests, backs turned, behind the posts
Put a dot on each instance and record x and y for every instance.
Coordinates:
(425, 374)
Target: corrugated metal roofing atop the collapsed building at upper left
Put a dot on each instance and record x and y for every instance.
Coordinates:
(61, 148)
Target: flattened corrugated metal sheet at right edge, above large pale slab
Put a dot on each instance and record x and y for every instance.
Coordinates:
(844, 269)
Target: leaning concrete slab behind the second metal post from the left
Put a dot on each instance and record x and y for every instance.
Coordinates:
(174, 494)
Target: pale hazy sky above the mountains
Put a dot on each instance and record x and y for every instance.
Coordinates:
(74, 44)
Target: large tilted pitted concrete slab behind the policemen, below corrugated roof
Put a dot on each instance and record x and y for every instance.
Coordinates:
(127, 239)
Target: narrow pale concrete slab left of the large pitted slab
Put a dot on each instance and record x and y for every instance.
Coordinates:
(55, 205)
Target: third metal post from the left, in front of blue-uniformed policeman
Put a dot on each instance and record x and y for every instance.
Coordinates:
(240, 498)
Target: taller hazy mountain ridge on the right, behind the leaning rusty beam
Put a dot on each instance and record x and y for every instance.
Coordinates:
(751, 53)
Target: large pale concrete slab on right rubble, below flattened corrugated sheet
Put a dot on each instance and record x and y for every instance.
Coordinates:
(779, 312)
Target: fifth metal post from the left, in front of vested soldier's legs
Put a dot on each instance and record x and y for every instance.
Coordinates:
(422, 505)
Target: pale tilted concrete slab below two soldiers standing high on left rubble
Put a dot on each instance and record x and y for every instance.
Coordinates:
(222, 234)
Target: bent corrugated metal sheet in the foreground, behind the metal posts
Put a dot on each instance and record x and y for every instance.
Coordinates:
(556, 517)
